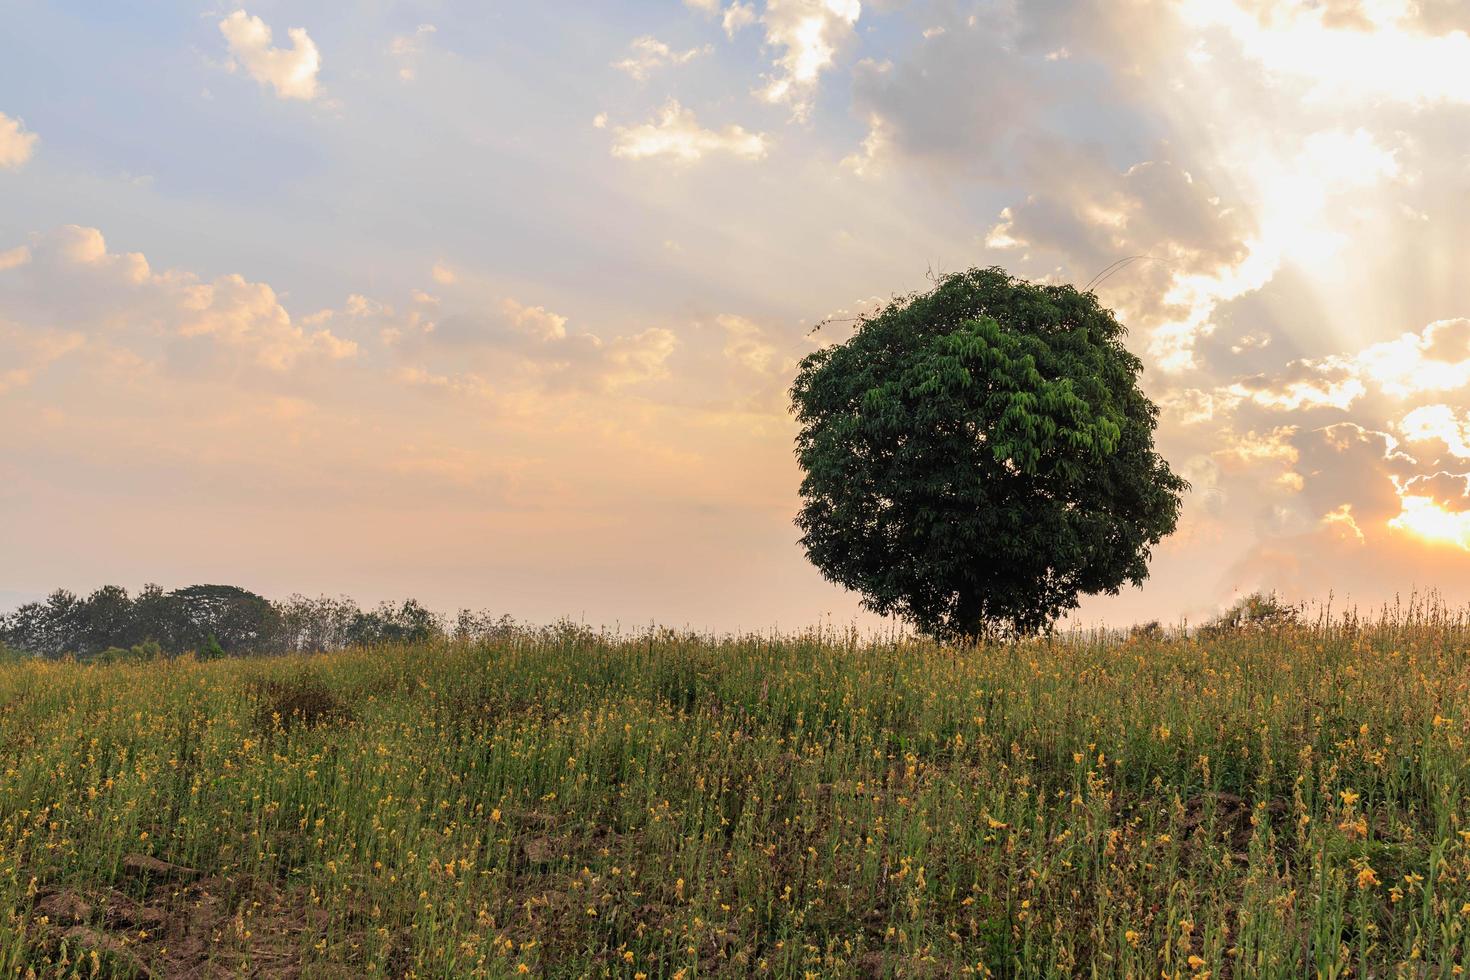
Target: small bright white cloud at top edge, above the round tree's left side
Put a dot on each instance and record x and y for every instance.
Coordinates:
(809, 35)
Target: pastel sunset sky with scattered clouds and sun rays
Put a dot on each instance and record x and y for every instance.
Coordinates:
(496, 305)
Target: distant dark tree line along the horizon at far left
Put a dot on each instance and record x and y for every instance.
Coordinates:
(217, 621)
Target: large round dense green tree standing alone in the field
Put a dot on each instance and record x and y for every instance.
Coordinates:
(980, 456)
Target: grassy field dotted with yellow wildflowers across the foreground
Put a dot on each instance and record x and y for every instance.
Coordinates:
(1284, 803)
